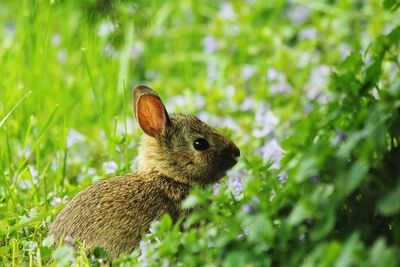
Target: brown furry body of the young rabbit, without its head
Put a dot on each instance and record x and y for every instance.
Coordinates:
(114, 213)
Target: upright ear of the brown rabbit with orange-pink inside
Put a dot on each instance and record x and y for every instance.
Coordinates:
(150, 111)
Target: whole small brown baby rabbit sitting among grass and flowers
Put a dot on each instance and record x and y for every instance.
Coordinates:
(177, 152)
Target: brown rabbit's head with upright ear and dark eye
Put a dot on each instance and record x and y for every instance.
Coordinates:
(180, 146)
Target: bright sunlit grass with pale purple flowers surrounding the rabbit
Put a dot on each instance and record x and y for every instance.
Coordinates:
(252, 69)
